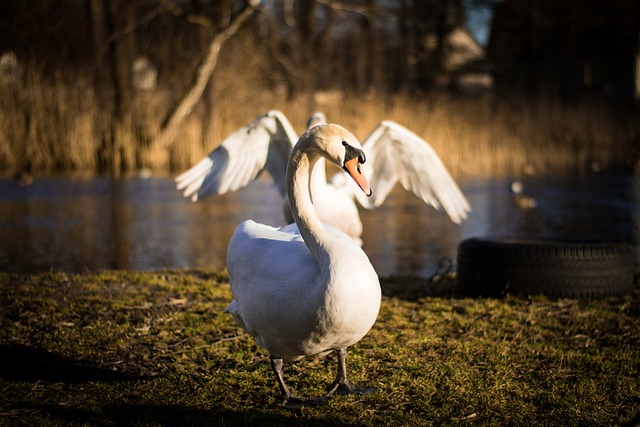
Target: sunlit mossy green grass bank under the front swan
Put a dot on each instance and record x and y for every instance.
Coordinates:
(129, 348)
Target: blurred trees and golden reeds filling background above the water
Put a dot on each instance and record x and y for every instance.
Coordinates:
(94, 85)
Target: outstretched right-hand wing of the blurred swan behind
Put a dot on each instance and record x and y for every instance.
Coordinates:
(394, 153)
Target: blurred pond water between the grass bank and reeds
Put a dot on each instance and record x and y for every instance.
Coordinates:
(86, 224)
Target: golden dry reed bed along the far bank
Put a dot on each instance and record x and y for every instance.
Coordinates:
(57, 123)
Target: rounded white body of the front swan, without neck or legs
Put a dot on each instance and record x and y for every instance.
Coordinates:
(291, 303)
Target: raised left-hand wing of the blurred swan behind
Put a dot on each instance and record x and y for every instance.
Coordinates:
(241, 157)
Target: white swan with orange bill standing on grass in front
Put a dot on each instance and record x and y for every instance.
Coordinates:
(305, 289)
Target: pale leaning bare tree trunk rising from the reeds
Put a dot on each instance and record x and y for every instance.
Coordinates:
(202, 76)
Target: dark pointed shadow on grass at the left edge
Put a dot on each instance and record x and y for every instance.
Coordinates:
(30, 364)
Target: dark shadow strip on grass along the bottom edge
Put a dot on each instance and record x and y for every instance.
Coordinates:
(164, 415)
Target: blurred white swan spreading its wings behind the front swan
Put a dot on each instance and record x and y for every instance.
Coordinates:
(395, 153)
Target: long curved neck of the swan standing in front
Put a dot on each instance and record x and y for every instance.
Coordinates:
(313, 232)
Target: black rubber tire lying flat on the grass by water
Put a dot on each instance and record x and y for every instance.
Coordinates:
(494, 267)
